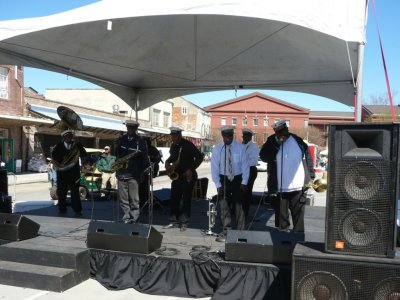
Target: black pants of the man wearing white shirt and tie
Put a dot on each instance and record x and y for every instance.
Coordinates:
(231, 203)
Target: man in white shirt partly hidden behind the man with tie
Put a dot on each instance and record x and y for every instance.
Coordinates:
(252, 152)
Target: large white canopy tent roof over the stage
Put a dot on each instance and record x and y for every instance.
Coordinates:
(148, 51)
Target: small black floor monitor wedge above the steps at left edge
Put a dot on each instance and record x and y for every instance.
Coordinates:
(17, 227)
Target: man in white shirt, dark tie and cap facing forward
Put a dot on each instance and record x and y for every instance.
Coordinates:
(230, 173)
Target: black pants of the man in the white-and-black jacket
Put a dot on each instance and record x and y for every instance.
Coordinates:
(296, 202)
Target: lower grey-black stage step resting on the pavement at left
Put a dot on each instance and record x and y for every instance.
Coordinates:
(37, 276)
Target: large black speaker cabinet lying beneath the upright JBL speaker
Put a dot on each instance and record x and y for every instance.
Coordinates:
(319, 275)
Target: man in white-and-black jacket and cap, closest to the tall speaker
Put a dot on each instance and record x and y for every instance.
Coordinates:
(289, 170)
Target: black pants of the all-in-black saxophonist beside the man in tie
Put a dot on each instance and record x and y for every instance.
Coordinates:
(181, 192)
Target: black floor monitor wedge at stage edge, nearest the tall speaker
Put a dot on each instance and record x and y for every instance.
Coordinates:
(271, 247)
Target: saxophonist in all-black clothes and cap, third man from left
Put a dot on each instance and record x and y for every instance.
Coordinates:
(184, 159)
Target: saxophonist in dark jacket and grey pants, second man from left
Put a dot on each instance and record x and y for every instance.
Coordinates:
(130, 178)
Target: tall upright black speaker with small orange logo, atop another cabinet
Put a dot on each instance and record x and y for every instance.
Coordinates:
(362, 191)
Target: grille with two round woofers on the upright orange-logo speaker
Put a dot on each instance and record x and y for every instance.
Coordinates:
(359, 206)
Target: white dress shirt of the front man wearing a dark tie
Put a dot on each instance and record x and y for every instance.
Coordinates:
(240, 163)
